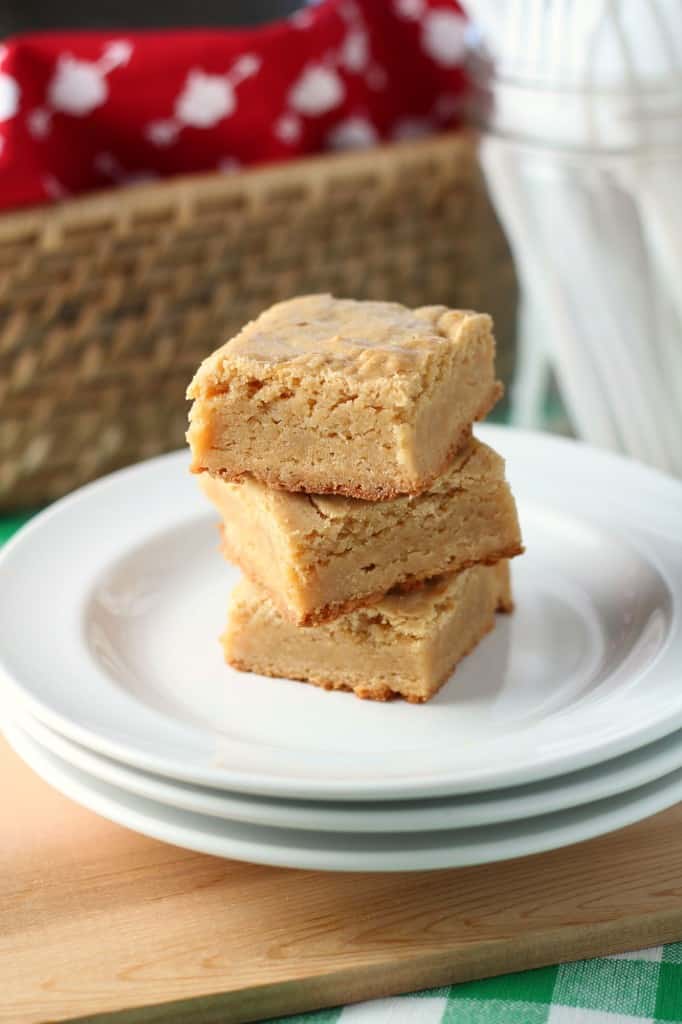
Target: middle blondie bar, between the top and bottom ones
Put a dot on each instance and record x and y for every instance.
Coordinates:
(319, 557)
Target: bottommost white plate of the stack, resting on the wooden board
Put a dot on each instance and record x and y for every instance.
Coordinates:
(343, 851)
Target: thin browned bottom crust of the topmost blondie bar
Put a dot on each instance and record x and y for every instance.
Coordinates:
(377, 494)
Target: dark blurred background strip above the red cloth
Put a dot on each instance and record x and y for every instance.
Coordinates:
(33, 16)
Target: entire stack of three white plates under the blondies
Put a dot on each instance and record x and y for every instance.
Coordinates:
(566, 723)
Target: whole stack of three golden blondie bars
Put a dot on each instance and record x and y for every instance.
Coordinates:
(373, 530)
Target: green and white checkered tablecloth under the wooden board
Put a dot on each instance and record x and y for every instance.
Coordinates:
(643, 988)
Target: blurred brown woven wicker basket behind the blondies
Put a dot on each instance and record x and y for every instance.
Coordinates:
(108, 304)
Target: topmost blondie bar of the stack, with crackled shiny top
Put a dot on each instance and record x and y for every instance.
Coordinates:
(332, 396)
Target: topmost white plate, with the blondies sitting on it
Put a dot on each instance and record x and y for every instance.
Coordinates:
(113, 601)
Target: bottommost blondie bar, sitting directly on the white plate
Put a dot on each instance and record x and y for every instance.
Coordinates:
(406, 647)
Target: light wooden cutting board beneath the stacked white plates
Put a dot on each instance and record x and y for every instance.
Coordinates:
(98, 922)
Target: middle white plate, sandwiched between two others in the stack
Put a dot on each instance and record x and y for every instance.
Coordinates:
(511, 804)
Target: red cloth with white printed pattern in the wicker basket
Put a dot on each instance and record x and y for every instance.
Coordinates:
(84, 111)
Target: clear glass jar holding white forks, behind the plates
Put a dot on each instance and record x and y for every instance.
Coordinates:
(587, 182)
